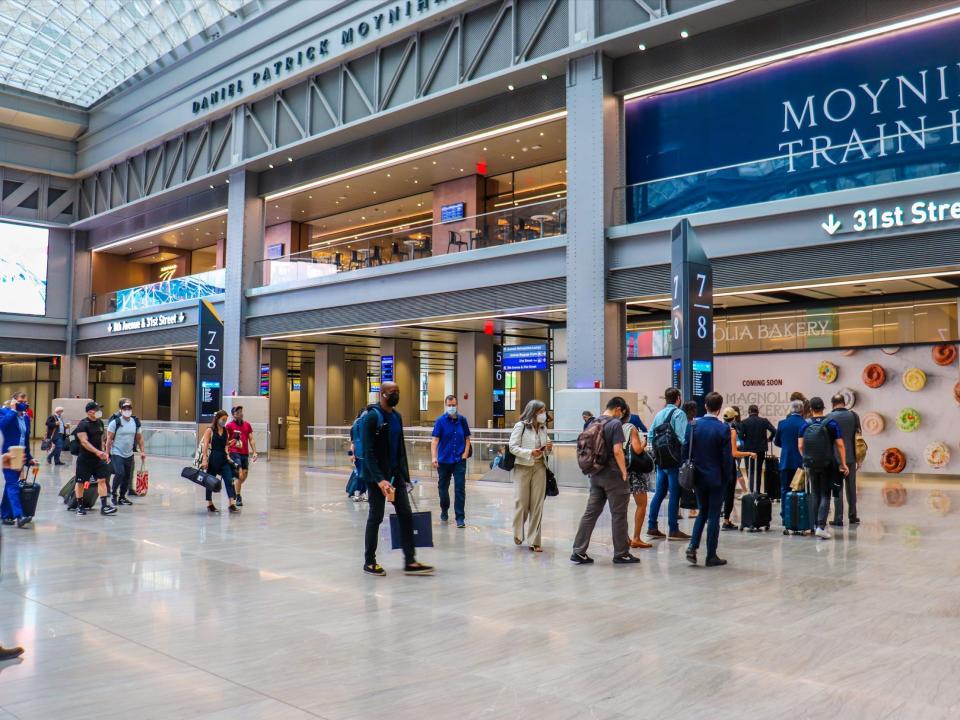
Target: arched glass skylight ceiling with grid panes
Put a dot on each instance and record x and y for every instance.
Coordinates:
(79, 50)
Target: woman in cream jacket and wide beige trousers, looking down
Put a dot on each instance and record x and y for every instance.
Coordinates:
(530, 446)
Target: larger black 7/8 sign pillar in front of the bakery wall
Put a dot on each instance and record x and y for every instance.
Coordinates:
(691, 317)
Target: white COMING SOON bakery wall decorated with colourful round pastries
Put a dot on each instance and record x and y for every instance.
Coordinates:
(907, 397)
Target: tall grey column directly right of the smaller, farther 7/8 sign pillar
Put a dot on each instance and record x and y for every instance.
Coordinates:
(241, 356)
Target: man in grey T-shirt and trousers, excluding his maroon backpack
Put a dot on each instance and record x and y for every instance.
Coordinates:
(610, 485)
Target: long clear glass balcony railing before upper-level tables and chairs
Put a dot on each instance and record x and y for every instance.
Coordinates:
(513, 224)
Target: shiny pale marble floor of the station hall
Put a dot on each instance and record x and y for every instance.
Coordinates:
(164, 611)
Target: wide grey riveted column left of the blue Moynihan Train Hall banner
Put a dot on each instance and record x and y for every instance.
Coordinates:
(595, 335)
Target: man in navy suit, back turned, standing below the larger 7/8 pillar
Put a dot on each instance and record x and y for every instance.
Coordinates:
(713, 460)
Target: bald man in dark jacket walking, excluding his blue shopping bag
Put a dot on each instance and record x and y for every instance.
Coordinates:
(385, 470)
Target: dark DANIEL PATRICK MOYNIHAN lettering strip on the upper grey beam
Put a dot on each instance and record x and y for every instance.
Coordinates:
(320, 49)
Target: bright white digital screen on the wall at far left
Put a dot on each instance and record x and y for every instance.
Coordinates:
(23, 269)
